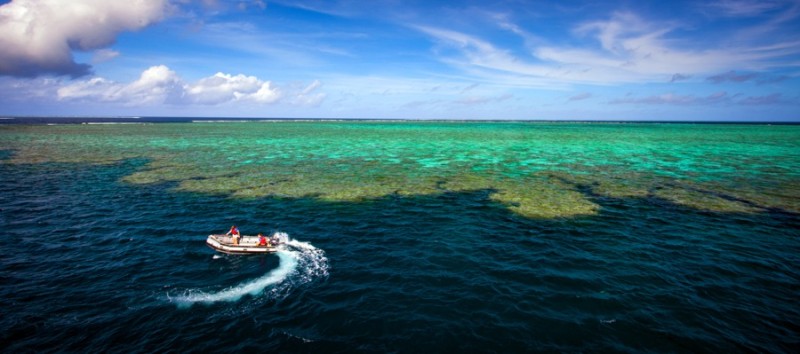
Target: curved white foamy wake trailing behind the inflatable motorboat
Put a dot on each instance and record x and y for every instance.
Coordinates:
(300, 263)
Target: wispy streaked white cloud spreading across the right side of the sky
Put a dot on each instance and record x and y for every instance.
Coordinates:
(625, 48)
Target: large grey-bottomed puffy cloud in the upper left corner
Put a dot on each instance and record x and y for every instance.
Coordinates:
(38, 36)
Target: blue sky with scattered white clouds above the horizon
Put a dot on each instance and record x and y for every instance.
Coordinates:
(731, 60)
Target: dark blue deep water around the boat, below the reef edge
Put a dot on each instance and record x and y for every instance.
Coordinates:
(88, 263)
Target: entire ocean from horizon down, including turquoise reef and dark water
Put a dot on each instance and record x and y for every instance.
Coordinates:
(406, 236)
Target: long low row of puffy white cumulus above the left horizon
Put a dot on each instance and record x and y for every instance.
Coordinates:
(159, 85)
